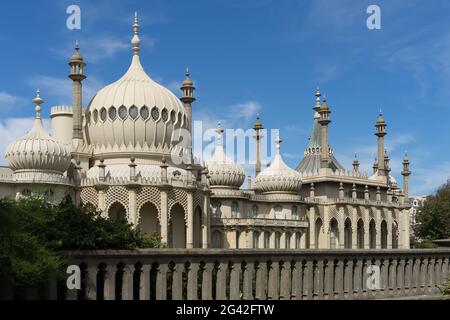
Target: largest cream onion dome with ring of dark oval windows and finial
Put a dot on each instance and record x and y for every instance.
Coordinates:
(134, 114)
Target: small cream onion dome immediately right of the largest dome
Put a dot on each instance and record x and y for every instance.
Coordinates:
(223, 172)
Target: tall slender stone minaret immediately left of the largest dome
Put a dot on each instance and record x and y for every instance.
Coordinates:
(77, 75)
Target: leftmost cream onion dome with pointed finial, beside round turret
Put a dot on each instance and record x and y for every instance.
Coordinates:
(37, 151)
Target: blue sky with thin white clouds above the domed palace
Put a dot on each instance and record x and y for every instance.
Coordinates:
(254, 56)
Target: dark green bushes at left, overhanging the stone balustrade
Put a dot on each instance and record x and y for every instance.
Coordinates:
(33, 231)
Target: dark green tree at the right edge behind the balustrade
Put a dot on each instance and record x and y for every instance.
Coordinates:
(434, 217)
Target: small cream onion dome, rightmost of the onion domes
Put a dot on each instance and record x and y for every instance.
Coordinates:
(278, 177)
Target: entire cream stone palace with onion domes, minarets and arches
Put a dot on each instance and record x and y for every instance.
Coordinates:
(117, 155)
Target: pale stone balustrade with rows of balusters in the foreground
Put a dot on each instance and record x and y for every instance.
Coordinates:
(257, 274)
